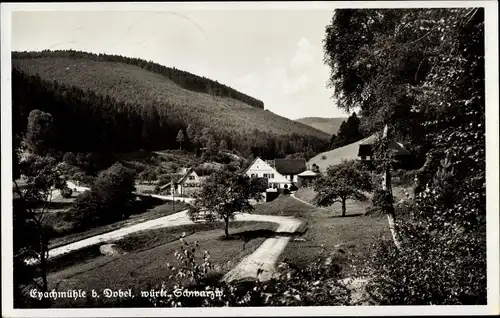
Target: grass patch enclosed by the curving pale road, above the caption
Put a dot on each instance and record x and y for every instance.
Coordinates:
(144, 262)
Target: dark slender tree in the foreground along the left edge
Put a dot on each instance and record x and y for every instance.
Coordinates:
(42, 175)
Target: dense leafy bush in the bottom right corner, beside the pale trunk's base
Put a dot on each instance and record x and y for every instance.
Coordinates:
(426, 271)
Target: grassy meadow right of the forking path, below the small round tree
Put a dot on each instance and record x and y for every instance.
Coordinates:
(347, 239)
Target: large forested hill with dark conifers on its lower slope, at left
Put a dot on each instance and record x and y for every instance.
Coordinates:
(113, 103)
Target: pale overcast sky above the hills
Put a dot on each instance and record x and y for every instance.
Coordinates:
(275, 56)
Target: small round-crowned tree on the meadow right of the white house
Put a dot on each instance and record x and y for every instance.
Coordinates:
(342, 182)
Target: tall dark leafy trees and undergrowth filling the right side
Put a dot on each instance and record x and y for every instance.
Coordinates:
(421, 71)
